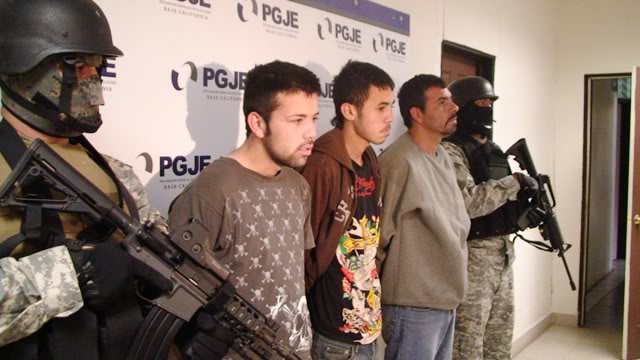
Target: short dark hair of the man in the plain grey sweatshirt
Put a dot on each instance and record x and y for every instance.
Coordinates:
(412, 94)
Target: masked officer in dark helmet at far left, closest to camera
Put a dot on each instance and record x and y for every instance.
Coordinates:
(58, 294)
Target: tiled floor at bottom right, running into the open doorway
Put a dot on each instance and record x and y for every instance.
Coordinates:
(602, 339)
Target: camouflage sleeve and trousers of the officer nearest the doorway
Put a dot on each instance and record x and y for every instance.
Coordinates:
(484, 320)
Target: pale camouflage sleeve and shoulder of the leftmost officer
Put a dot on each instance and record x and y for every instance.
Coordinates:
(43, 285)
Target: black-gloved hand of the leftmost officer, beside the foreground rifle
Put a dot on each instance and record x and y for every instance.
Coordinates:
(105, 270)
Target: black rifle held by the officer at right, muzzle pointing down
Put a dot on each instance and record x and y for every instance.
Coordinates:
(542, 203)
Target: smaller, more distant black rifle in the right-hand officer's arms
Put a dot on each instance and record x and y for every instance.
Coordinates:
(545, 200)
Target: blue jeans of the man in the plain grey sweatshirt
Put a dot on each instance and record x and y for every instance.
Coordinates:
(417, 333)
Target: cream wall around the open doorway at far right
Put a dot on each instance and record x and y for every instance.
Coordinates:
(593, 36)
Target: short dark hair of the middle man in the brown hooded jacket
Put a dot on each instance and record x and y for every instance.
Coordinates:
(352, 86)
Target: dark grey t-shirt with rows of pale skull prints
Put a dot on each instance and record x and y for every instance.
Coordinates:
(259, 228)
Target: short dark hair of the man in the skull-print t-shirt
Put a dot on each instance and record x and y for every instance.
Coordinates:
(264, 83)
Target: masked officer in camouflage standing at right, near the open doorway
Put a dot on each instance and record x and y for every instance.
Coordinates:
(494, 198)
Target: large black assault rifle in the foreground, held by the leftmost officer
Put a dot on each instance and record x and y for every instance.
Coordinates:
(200, 281)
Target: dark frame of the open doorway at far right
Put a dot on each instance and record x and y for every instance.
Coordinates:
(586, 171)
